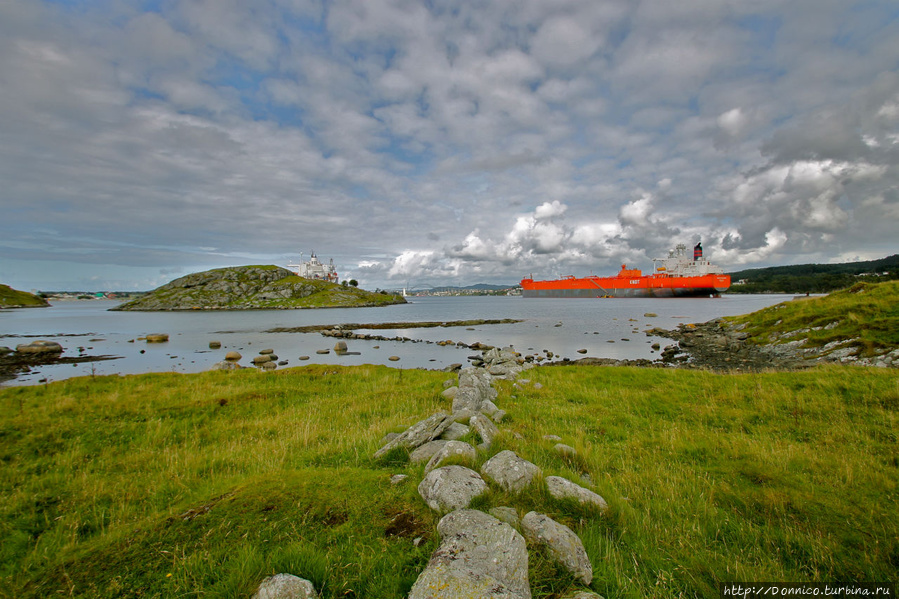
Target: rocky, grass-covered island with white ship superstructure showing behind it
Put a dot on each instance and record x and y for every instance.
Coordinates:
(255, 288)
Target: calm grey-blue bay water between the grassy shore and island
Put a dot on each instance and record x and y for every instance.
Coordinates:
(606, 328)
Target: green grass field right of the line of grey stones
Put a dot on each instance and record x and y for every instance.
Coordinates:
(766, 477)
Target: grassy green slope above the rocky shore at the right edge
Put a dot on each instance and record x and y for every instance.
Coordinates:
(866, 315)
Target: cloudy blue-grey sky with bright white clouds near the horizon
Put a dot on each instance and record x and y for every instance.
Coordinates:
(436, 142)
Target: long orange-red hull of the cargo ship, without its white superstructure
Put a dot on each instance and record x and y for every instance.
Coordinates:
(627, 284)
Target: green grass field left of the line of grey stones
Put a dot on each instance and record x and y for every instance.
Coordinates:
(106, 482)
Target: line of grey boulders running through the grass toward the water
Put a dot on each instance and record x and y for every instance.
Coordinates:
(480, 554)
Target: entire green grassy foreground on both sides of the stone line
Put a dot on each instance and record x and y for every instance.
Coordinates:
(174, 485)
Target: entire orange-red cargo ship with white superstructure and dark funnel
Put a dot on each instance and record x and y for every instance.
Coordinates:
(675, 276)
